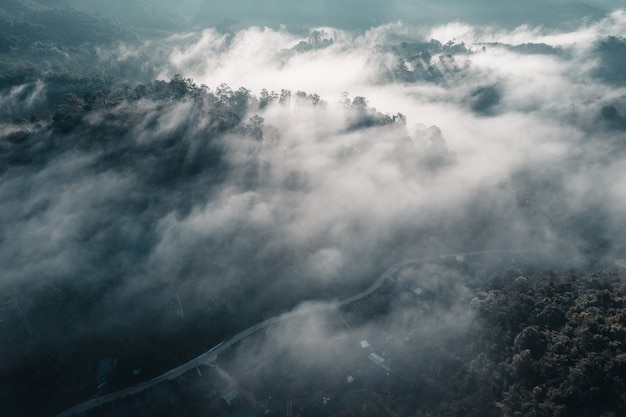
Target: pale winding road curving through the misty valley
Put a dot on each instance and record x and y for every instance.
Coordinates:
(212, 354)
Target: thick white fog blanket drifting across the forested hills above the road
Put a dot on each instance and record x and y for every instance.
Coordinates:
(329, 202)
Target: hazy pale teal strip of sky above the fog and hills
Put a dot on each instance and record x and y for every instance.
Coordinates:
(360, 15)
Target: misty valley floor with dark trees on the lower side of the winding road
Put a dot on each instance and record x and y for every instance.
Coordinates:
(550, 344)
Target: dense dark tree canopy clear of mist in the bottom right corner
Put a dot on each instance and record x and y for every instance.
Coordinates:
(566, 347)
